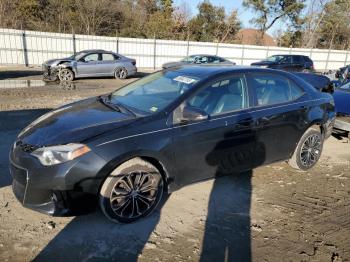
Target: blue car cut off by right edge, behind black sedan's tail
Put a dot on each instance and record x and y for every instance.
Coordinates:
(342, 103)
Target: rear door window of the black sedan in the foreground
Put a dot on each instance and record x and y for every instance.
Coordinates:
(274, 89)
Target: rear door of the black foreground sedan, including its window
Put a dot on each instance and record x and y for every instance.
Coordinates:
(279, 113)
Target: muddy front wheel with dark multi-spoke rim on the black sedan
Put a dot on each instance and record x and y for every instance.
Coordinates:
(132, 191)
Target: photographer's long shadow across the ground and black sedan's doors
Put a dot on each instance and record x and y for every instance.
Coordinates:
(227, 233)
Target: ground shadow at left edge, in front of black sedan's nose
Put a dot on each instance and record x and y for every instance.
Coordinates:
(11, 123)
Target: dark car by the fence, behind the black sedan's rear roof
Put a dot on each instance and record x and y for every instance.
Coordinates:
(299, 63)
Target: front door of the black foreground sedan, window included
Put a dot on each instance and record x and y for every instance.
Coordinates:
(223, 143)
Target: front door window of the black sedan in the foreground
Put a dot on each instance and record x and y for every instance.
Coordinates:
(223, 96)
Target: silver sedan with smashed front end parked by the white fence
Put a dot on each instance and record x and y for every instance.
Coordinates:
(89, 63)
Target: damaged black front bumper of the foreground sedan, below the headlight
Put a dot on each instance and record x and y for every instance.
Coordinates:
(65, 189)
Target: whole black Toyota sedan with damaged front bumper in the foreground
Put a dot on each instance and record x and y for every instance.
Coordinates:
(125, 150)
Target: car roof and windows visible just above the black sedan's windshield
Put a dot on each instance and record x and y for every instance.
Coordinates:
(200, 59)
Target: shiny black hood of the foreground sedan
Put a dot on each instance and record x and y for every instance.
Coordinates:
(74, 123)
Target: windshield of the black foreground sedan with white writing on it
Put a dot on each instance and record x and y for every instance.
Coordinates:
(154, 92)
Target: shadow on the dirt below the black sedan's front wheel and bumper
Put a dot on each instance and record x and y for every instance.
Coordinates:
(92, 237)
